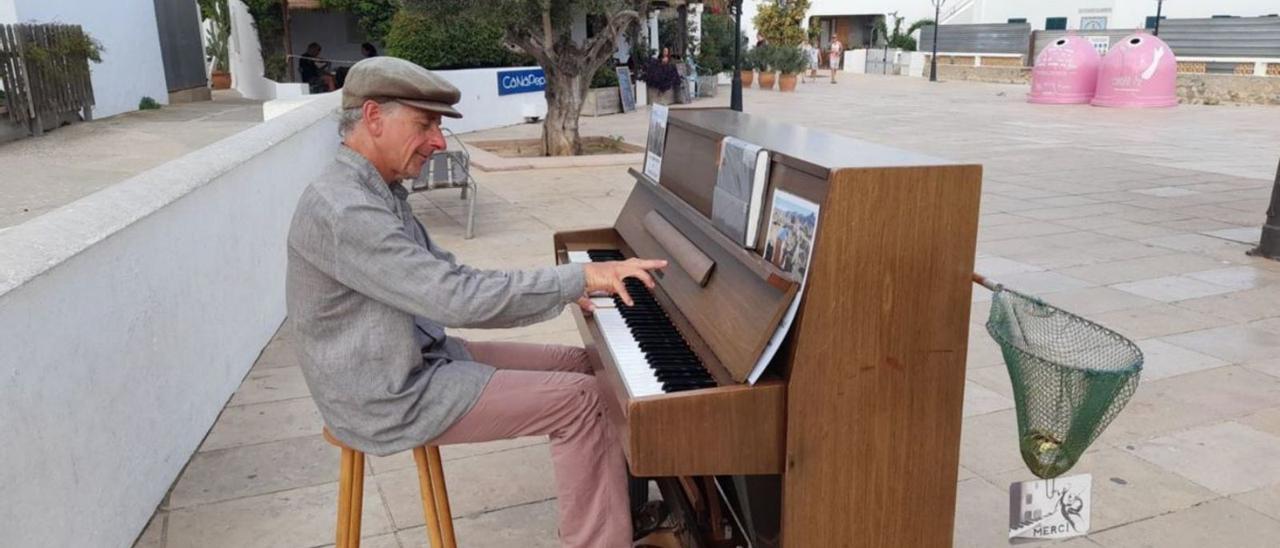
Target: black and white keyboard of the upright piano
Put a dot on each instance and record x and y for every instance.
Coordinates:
(652, 357)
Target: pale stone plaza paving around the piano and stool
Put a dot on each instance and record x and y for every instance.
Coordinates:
(1137, 220)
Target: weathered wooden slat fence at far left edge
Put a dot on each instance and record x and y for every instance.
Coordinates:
(44, 70)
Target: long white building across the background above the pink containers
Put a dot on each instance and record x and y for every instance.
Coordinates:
(853, 20)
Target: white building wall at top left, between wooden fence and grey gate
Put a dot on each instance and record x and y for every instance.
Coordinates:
(131, 67)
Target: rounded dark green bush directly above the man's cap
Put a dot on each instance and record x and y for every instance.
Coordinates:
(450, 42)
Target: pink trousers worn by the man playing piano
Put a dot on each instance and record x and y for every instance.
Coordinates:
(548, 390)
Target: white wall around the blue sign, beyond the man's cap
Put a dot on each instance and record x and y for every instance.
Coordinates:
(482, 108)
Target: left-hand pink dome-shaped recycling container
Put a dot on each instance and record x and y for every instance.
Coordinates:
(1066, 74)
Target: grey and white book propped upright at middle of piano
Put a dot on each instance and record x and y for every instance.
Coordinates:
(739, 195)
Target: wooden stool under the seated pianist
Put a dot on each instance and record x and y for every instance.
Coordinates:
(431, 479)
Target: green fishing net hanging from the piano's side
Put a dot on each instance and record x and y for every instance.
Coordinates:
(1071, 378)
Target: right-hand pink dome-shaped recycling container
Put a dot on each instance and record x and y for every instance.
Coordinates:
(1140, 71)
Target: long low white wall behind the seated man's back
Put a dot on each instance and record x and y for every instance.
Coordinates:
(127, 321)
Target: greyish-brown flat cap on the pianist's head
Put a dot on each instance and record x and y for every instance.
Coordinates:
(392, 79)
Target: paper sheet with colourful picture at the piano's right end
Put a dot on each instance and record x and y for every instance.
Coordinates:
(789, 245)
